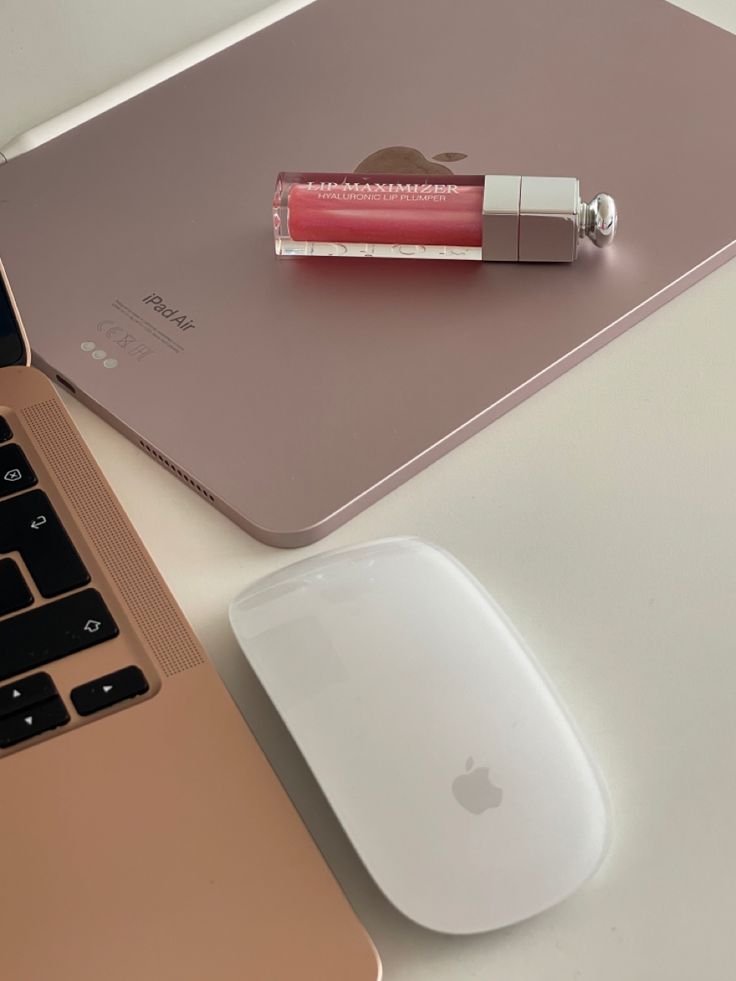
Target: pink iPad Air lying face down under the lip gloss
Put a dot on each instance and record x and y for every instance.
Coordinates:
(293, 392)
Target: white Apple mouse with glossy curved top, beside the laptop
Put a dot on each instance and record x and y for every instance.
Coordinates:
(449, 760)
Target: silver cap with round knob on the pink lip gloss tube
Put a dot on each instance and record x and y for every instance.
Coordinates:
(542, 219)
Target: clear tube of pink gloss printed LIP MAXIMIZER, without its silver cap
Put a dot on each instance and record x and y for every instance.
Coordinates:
(375, 215)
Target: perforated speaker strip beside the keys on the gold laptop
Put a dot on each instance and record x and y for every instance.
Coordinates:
(151, 607)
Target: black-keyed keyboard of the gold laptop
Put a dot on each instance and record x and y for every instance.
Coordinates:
(33, 634)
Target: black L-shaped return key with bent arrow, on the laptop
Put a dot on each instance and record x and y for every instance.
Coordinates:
(29, 525)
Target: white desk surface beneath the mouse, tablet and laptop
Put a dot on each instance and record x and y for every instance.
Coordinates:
(601, 515)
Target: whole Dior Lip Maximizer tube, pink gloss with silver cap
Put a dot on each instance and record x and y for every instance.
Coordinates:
(493, 218)
